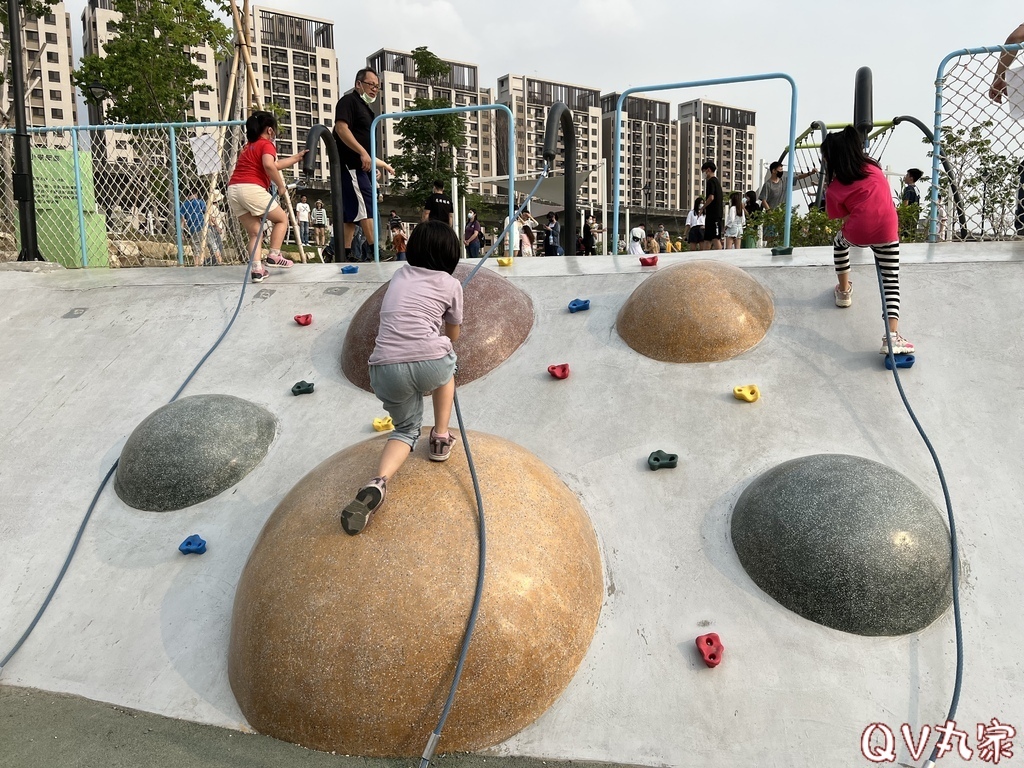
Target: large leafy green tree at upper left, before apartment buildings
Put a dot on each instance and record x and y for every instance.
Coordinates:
(148, 66)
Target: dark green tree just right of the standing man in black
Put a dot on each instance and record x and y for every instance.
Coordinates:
(429, 145)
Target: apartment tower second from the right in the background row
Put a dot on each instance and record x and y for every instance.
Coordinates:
(649, 153)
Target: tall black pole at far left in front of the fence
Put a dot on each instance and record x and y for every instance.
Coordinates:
(24, 193)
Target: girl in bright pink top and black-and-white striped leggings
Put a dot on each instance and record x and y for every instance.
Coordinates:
(860, 194)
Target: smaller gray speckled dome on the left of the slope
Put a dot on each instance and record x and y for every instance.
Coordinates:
(191, 450)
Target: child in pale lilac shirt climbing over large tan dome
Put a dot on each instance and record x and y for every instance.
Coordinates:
(421, 316)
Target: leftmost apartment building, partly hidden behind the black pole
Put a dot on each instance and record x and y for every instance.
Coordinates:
(49, 65)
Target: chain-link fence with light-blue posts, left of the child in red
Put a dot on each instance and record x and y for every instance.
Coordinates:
(129, 196)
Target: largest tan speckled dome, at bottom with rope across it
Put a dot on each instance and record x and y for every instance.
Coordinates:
(350, 644)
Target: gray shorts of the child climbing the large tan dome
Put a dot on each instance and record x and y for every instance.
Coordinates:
(402, 387)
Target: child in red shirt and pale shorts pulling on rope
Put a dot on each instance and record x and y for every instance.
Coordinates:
(249, 191)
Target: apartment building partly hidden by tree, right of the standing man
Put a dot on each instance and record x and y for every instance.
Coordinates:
(401, 87)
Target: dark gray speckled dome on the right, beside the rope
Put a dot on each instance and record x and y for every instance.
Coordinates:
(847, 543)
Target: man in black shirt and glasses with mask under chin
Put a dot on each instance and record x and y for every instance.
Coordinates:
(353, 117)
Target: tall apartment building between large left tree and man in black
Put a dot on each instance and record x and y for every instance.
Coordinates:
(296, 68)
